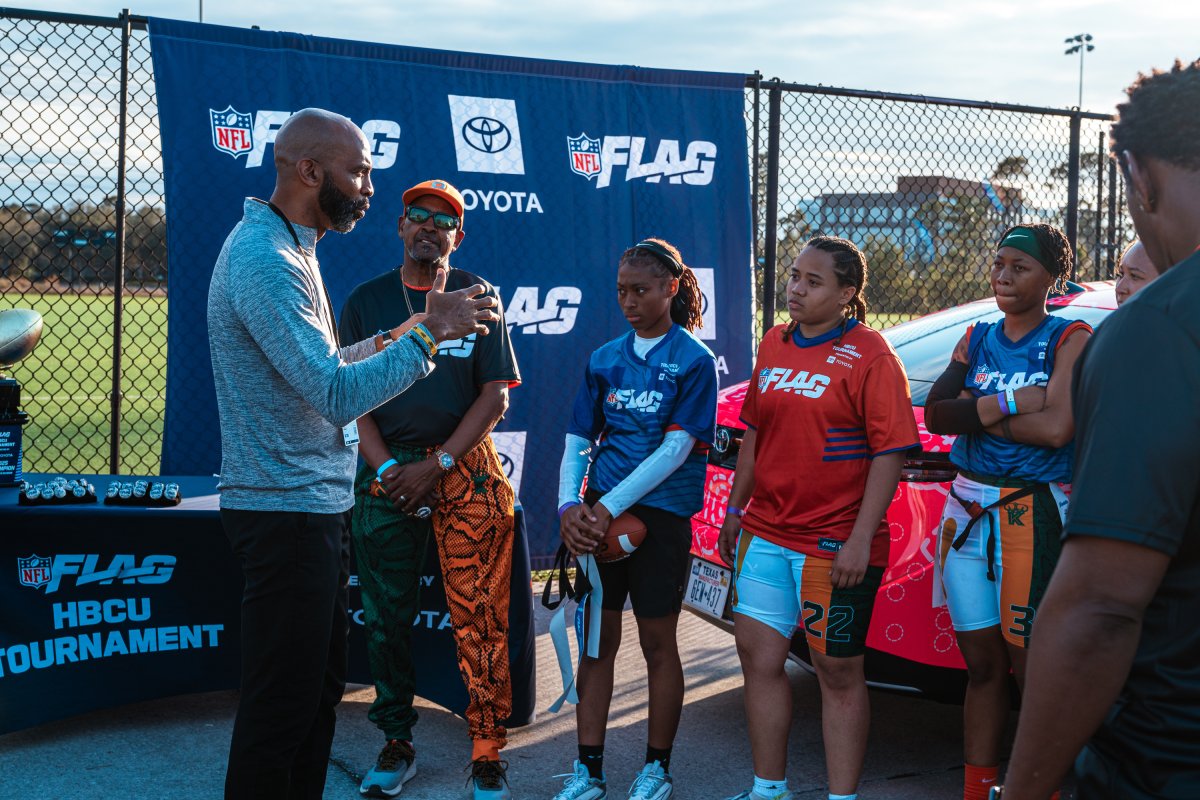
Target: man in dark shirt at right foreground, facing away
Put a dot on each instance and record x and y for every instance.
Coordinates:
(1114, 666)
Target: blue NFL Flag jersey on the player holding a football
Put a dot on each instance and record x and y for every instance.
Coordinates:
(627, 405)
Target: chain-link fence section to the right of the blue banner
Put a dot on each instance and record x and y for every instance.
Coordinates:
(926, 188)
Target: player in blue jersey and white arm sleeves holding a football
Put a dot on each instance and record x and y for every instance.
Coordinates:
(646, 414)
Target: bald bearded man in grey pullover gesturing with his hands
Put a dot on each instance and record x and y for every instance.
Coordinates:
(289, 394)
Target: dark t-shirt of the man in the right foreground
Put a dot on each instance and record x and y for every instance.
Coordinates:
(1137, 402)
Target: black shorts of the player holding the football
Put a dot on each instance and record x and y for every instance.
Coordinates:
(653, 576)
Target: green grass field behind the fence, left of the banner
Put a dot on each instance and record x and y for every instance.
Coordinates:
(68, 381)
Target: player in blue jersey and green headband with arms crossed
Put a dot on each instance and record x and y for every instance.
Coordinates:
(1007, 394)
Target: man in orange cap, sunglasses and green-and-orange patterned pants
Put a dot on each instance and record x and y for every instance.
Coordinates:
(430, 467)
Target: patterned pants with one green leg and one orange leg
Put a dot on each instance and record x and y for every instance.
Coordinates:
(473, 530)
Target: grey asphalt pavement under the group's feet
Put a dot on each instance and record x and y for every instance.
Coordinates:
(176, 748)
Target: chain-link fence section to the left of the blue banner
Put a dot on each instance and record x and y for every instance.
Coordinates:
(85, 239)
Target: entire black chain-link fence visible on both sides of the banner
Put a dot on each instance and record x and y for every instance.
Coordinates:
(923, 187)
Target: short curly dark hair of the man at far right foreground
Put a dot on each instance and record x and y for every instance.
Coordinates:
(1162, 117)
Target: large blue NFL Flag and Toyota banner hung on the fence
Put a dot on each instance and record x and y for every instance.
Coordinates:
(562, 167)
